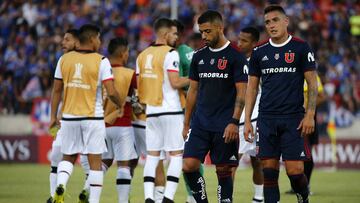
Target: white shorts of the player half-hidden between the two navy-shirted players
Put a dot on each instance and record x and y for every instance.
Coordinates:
(244, 146)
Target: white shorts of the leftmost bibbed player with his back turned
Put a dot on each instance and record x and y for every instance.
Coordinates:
(83, 136)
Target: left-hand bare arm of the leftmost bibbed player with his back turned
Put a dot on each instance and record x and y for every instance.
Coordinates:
(55, 101)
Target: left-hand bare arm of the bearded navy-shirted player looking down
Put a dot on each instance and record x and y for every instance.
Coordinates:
(190, 103)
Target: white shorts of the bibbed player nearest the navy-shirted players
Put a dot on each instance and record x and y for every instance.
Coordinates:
(164, 133)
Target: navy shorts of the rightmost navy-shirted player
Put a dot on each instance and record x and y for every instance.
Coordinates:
(280, 137)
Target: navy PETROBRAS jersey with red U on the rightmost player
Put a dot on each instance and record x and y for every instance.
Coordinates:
(281, 68)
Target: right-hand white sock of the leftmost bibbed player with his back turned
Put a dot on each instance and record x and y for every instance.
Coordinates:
(96, 181)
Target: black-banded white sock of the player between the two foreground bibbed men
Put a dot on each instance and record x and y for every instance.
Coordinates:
(123, 183)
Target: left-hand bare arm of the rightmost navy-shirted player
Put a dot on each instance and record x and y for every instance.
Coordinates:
(251, 93)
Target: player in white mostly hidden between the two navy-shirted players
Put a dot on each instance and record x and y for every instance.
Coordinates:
(248, 38)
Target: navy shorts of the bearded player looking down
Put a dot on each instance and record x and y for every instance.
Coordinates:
(200, 142)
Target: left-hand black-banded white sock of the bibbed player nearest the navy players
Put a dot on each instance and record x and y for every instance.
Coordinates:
(149, 175)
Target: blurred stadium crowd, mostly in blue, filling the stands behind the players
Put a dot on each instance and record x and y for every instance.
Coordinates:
(31, 32)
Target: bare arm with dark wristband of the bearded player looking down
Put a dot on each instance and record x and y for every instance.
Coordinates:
(231, 132)
